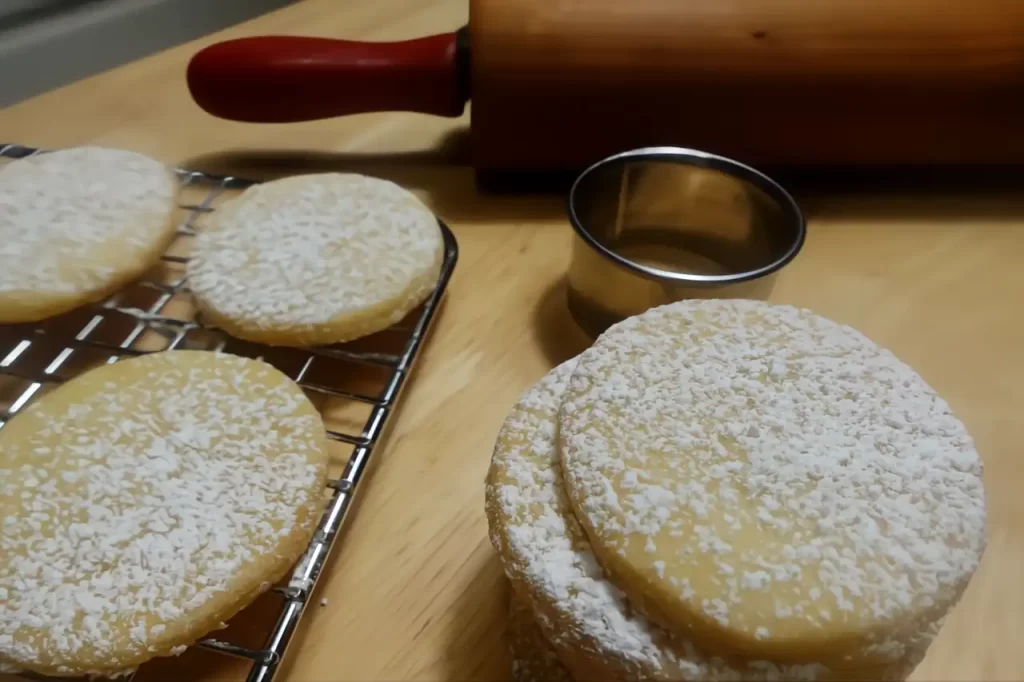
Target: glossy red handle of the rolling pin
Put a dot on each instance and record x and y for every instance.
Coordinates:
(279, 79)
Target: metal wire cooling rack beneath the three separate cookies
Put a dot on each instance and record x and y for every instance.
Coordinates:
(358, 386)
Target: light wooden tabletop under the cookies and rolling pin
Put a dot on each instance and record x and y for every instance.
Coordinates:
(416, 591)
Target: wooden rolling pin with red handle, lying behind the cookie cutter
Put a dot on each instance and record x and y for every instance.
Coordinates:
(558, 84)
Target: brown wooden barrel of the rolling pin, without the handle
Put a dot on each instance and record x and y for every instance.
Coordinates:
(770, 82)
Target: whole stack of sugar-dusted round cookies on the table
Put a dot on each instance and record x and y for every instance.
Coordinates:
(733, 490)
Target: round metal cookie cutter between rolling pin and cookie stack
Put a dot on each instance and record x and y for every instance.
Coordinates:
(660, 225)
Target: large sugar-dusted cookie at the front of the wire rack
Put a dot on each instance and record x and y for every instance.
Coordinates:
(146, 502)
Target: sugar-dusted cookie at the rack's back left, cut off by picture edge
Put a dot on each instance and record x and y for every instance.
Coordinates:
(78, 225)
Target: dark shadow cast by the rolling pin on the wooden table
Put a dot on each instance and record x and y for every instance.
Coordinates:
(448, 183)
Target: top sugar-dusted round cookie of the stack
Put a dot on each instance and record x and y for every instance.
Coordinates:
(773, 483)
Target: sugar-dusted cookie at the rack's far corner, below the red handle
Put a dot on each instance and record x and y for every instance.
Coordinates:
(316, 260)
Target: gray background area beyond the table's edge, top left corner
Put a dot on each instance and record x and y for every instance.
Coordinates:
(48, 44)
